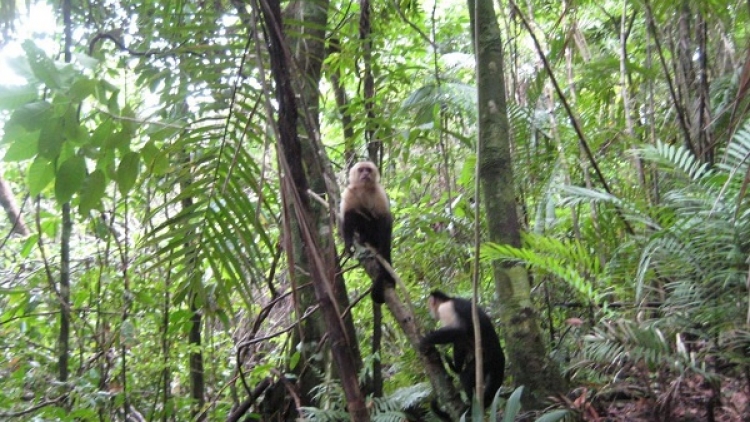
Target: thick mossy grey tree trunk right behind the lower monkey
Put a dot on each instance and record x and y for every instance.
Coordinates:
(526, 351)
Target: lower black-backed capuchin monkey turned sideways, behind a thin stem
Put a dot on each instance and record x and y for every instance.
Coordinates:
(457, 328)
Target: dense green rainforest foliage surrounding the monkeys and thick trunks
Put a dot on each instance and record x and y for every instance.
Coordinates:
(147, 227)
